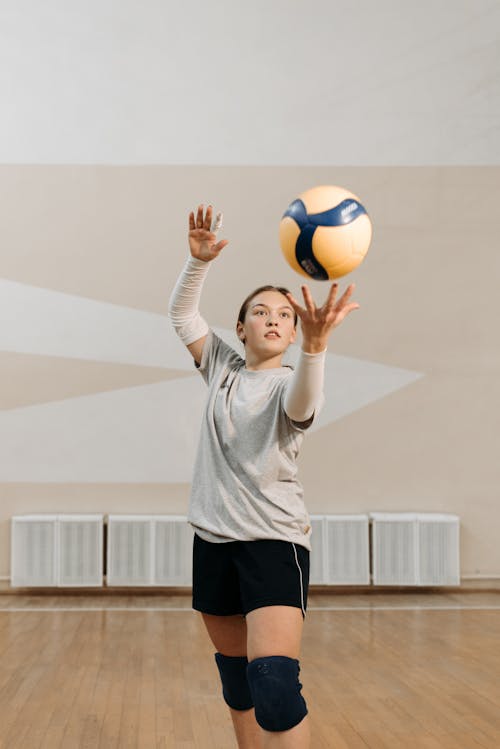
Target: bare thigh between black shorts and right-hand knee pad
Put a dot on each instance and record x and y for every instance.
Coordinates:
(274, 630)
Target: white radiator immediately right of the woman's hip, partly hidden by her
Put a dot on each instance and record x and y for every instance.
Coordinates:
(340, 550)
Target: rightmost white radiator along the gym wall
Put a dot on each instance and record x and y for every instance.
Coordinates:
(415, 549)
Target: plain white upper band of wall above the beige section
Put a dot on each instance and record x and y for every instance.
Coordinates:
(282, 82)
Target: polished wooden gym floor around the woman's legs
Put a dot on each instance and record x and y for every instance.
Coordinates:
(402, 671)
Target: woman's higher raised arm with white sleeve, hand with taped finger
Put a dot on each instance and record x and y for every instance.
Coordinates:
(183, 304)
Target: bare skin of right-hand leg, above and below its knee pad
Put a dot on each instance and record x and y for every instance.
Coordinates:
(277, 631)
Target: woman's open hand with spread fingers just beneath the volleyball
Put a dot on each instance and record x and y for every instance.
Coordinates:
(318, 322)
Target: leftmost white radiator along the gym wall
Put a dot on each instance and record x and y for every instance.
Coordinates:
(57, 551)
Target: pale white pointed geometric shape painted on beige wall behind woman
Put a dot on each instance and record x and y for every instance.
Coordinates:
(140, 434)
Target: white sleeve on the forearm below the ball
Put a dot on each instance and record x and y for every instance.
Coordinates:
(306, 387)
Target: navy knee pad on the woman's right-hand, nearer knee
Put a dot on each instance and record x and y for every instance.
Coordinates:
(275, 689)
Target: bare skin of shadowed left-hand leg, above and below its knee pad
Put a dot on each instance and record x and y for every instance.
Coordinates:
(229, 636)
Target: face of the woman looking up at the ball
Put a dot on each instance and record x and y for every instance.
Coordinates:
(269, 323)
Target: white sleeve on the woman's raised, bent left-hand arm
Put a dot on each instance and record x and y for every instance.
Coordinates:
(184, 300)
